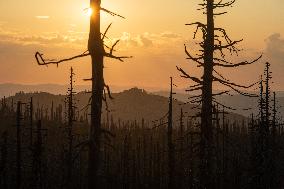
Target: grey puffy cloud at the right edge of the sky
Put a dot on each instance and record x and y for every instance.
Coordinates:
(275, 47)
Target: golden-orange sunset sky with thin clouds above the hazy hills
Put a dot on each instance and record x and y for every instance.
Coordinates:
(153, 32)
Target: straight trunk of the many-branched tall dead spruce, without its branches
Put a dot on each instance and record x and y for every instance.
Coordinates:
(206, 172)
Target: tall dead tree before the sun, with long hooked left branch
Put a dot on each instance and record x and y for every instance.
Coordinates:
(96, 49)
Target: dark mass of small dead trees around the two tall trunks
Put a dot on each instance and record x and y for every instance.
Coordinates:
(48, 148)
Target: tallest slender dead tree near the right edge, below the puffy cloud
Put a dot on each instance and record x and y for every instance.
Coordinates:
(262, 150)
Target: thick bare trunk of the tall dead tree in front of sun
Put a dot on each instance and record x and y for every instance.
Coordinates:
(96, 49)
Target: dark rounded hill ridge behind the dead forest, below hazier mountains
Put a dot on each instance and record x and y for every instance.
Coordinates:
(129, 105)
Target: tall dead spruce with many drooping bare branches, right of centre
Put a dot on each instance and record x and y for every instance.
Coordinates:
(214, 45)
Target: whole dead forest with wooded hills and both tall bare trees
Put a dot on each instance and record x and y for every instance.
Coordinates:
(136, 139)
